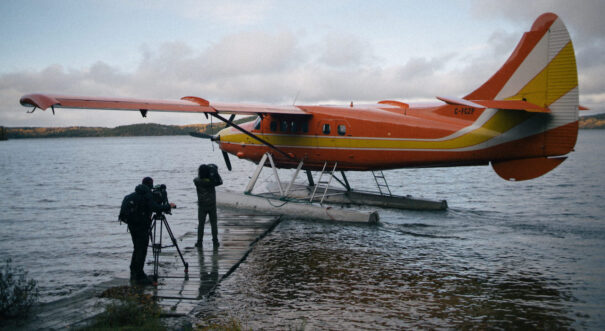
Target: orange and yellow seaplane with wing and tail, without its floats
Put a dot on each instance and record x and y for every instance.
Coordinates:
(523, 121)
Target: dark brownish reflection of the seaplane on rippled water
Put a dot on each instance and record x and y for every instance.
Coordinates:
(339, 280)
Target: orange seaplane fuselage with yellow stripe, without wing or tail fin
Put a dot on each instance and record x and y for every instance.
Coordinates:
(391, 135)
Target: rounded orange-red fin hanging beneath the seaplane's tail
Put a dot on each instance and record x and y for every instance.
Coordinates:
(524, 169)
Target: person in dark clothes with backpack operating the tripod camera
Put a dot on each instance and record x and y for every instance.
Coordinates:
(136, 212)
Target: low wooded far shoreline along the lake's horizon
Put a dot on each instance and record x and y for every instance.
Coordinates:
(152, 129)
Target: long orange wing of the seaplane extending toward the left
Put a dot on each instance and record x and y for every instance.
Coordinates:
(185, 105)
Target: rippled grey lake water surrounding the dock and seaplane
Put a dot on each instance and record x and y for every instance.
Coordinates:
(505, 255)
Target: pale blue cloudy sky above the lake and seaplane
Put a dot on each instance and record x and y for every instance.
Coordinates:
(270, 51)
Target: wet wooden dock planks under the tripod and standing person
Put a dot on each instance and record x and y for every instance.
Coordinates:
(238, 232)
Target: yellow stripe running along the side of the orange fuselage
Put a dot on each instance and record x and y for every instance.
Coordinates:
(499, 123)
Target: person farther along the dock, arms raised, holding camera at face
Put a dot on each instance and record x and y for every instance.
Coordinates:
(207, 179)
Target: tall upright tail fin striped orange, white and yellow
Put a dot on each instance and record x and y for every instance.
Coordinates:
(541, 71)
